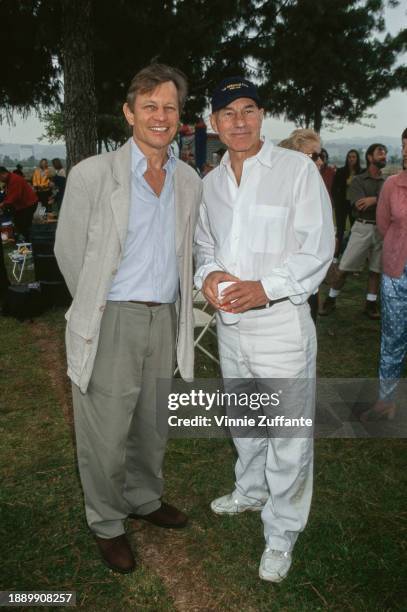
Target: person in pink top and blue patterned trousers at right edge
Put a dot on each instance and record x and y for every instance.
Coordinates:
(392, 224)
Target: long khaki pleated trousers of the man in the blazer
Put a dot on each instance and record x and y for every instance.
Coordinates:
(120, 451)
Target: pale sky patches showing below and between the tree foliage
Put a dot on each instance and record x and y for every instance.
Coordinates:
(390, 121)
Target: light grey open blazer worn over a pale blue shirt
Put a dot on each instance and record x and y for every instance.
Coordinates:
(90, 240)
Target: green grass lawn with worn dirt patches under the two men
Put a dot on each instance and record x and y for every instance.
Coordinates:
(350, 557)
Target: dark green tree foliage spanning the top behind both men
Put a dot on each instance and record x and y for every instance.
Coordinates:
(317, 62)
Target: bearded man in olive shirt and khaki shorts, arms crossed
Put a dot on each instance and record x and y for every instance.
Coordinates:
(365, 242)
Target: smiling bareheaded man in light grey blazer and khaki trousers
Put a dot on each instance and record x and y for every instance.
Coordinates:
(124, 246)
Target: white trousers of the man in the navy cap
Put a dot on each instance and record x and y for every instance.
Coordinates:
(278, 342)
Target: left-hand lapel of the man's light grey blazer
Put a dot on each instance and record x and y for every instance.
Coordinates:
(120, 197)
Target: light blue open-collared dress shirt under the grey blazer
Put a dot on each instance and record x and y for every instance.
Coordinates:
(148, 271)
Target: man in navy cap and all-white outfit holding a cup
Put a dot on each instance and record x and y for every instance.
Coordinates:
(265, 224)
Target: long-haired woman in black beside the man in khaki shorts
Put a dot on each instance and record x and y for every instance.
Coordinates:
(341, 198)
